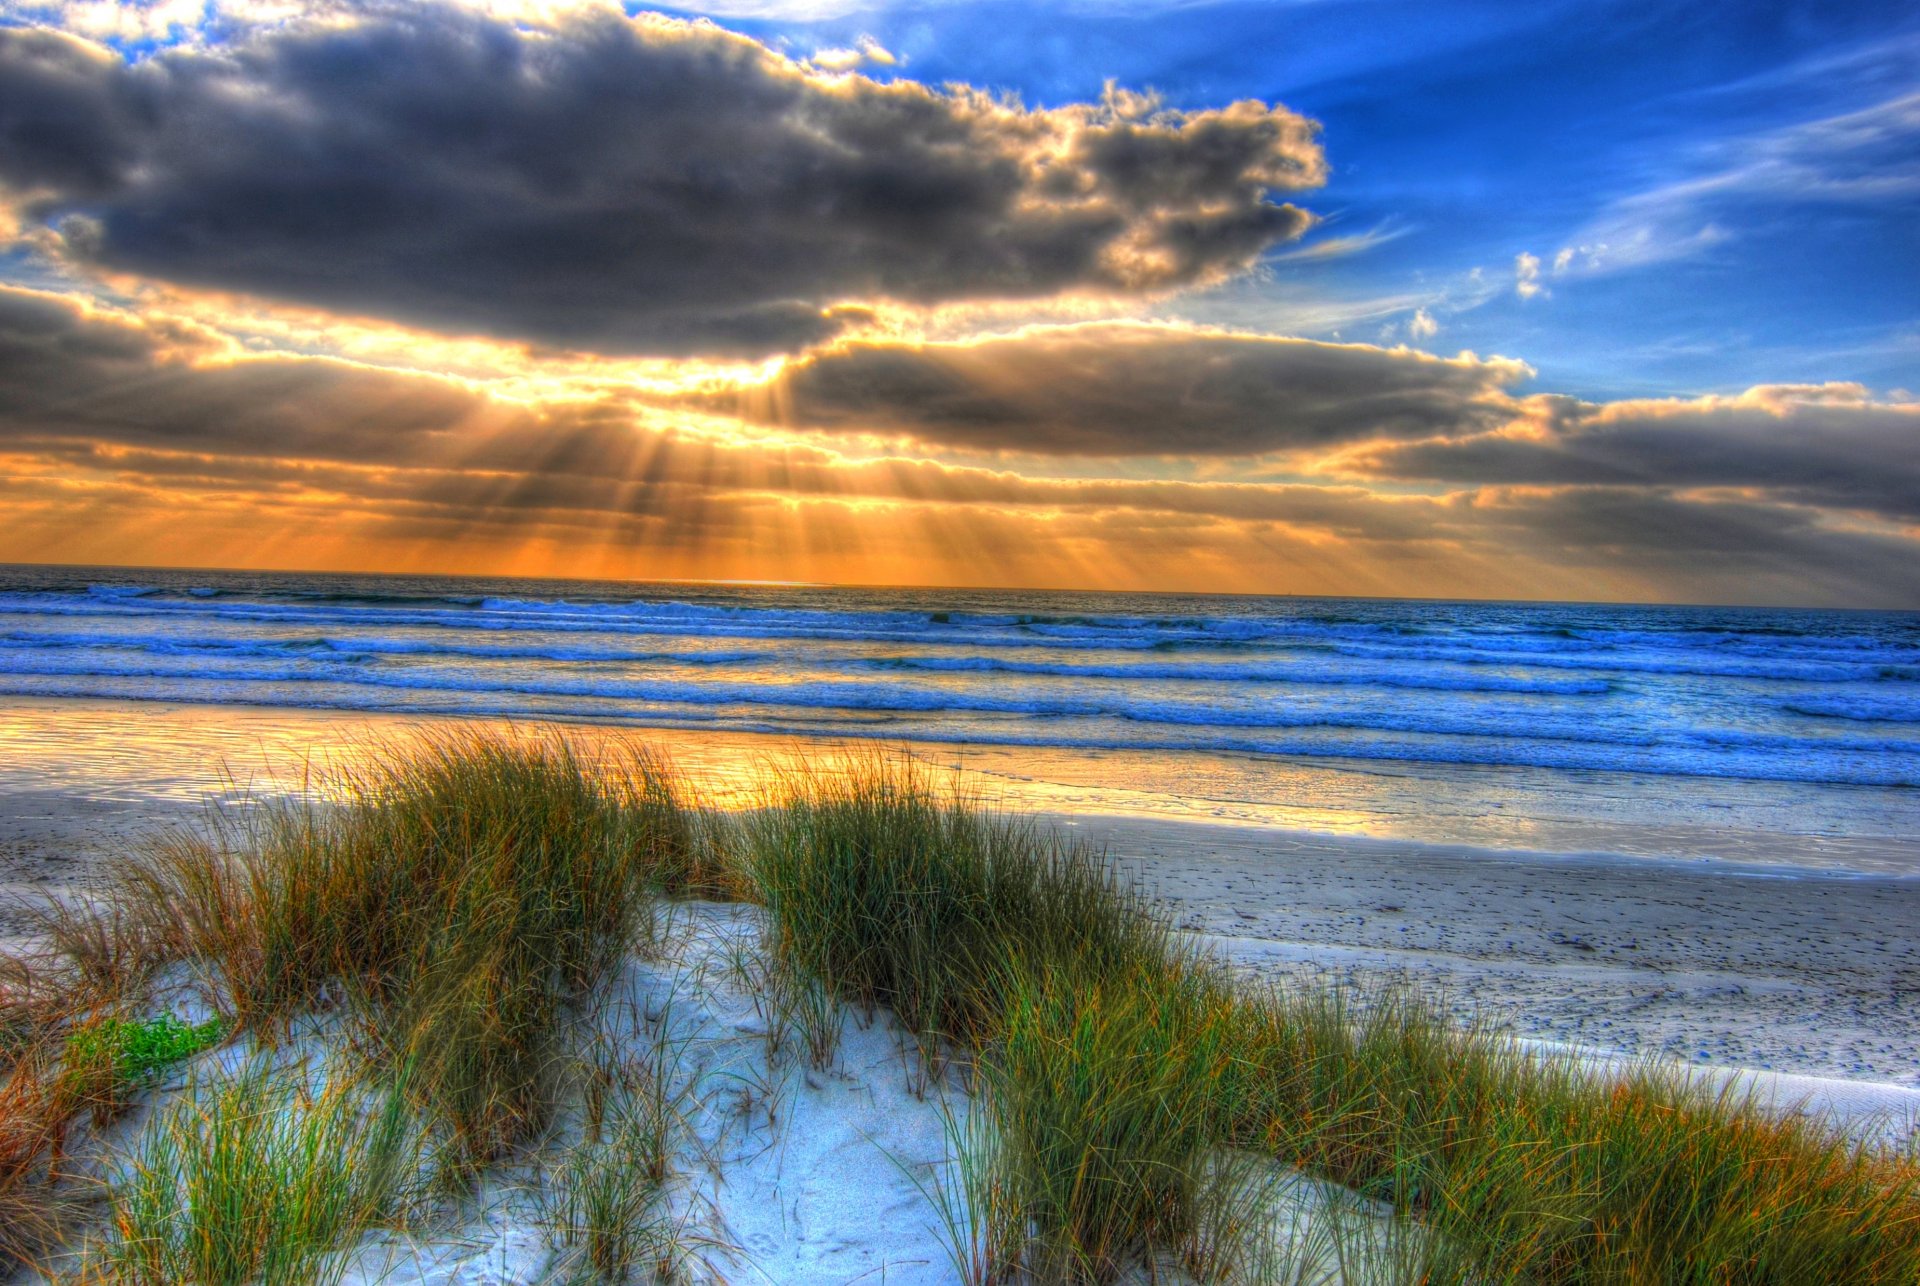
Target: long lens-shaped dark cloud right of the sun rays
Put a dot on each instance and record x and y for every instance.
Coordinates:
(1120, 389)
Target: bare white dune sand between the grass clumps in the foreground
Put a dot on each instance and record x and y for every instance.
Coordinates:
(784, 1176)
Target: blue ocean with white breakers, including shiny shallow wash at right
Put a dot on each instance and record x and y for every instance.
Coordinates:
(1662, 730)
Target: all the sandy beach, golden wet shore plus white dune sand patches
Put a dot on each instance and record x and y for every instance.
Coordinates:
(1790, 986)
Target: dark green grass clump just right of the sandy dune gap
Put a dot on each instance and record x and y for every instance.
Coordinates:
(901, 892)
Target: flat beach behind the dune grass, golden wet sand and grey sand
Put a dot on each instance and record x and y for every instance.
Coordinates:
(1798, 968)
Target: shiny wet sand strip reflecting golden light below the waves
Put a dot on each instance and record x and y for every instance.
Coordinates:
(172, 753)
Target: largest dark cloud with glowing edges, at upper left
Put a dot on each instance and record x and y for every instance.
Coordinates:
(617, 185)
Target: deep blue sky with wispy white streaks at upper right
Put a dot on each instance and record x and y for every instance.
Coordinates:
(1462, 135)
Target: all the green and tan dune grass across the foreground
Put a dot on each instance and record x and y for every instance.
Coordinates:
(466, 897)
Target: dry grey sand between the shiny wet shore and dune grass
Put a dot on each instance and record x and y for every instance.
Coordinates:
(1698, 963)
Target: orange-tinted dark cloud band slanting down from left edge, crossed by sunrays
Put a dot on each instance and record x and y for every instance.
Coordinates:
(160, 402)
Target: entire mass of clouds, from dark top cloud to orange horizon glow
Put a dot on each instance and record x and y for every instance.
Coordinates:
(393, 285)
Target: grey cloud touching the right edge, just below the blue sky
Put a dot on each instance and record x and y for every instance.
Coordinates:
(1825, 446)
